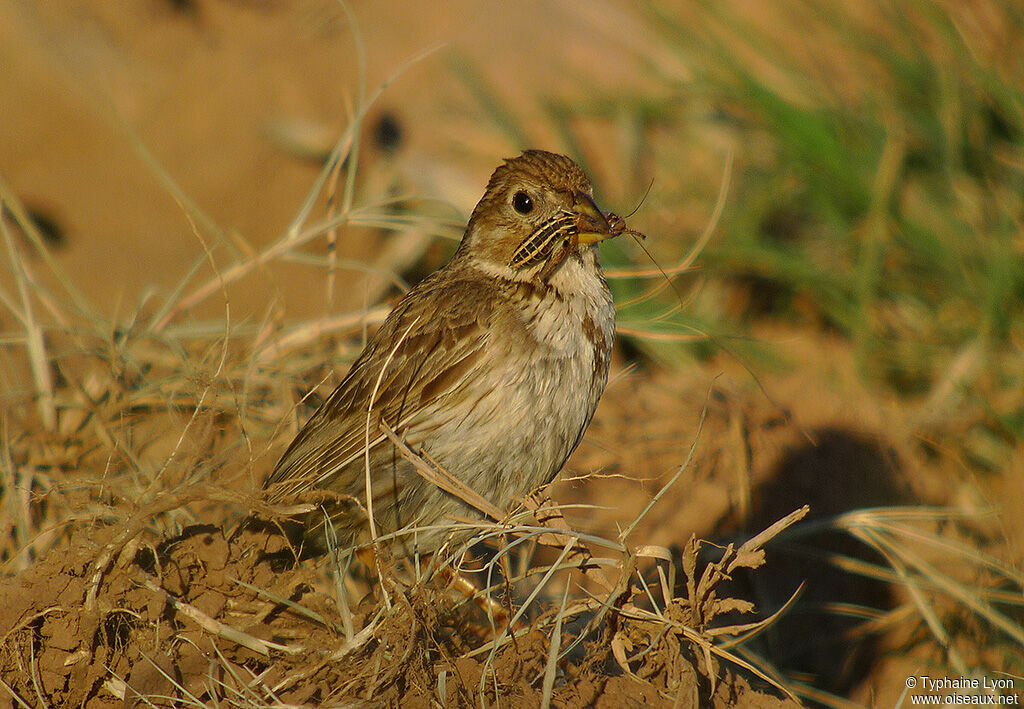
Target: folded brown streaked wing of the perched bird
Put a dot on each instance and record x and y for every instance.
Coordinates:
(428, 349)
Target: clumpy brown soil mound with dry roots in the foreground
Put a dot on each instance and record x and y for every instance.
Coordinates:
(166, 624)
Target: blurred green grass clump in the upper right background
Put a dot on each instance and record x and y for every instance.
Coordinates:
(890, 205)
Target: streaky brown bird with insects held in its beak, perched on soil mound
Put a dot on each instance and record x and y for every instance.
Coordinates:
(489, 370)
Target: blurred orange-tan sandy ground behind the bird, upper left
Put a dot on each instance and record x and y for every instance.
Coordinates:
(233, 99)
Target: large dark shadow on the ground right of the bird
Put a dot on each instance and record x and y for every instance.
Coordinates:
(823, 640)
